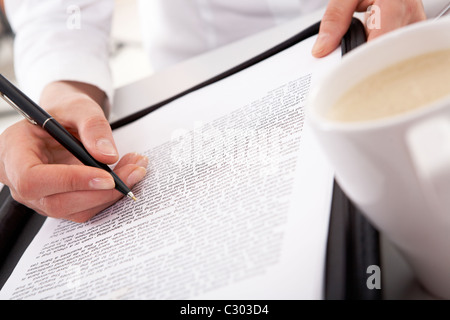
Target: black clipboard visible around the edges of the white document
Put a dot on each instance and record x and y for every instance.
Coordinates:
(352, 241)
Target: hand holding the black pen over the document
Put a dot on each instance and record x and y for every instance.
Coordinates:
(45, 176)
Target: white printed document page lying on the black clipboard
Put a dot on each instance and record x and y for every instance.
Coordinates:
(235, 204)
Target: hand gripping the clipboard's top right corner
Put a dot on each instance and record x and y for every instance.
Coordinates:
(338, 15)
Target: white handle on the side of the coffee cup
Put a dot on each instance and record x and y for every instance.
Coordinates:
(429, 146)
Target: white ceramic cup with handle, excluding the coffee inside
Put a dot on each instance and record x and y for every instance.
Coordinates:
(397, 169)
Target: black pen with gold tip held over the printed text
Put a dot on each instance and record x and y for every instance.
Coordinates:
(38, 116)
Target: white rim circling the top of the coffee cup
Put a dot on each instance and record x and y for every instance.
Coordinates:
(320, 120)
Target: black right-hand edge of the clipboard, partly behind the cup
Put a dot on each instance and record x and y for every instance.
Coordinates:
(353, 243)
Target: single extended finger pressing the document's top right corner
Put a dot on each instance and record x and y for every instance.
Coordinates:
(334, 25)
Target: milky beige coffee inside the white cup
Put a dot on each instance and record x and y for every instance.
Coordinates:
(404, 86)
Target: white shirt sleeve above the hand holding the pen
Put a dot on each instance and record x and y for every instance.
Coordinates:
(61, 40)
